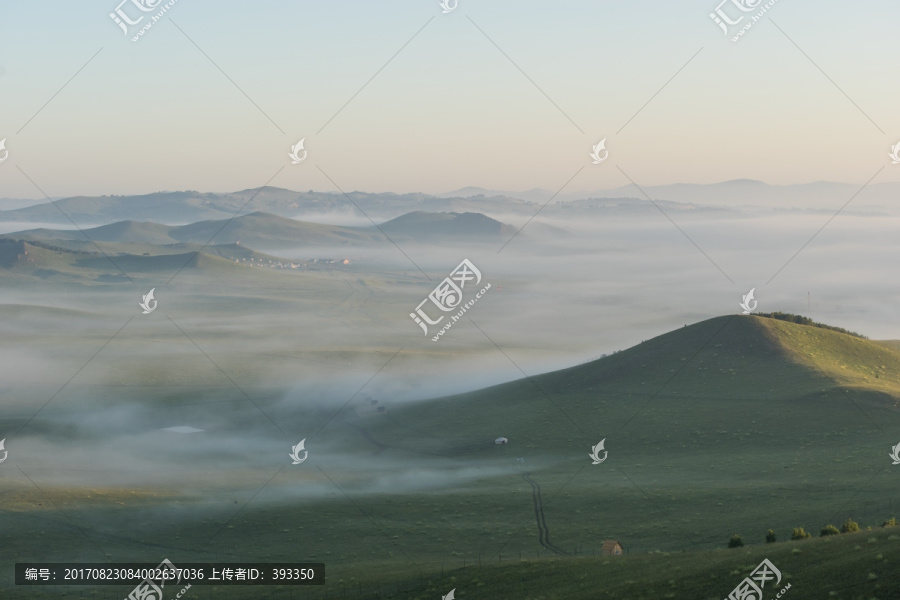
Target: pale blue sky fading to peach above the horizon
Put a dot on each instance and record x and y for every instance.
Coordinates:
(450, 110)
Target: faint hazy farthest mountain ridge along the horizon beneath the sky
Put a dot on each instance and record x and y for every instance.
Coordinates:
(192, 206)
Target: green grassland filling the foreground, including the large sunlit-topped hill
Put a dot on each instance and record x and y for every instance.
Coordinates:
(735, 424)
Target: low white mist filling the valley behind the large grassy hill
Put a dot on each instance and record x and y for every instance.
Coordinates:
(260, 366)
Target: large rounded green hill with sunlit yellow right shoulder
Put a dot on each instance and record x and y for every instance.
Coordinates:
(734, 424)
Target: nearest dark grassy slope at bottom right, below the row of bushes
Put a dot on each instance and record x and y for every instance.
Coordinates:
(863, 565)
